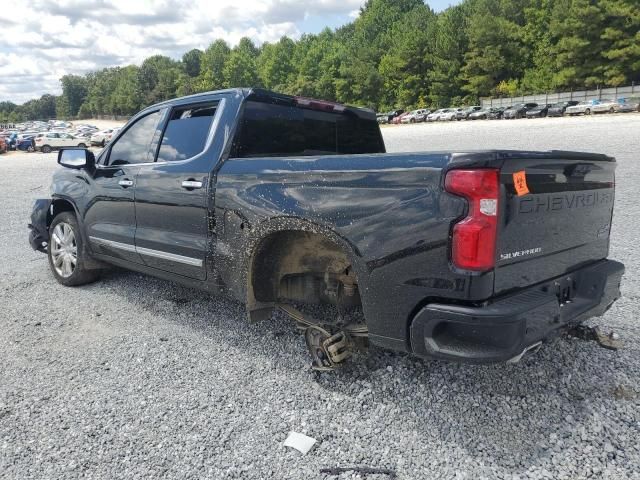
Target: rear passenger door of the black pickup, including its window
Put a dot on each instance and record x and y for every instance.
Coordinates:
(172, 194)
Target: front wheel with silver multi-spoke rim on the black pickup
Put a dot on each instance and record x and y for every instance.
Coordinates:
(65, 247)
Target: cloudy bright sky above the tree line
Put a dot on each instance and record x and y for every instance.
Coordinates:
(42, 40)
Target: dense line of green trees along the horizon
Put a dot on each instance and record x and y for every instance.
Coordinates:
(395, 54)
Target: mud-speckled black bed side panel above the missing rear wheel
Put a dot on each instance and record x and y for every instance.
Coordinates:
(389, 208)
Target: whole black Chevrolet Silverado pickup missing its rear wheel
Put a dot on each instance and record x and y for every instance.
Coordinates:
(283, 202)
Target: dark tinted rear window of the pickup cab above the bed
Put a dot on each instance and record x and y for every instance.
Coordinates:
(284, 130)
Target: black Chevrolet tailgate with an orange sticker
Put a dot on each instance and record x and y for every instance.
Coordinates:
(555, 216)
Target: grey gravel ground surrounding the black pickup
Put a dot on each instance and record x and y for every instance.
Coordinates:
(134, 377)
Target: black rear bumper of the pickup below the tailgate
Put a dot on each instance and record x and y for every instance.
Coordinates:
(504, 328)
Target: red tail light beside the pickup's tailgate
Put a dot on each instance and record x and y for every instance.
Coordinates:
(473, 240)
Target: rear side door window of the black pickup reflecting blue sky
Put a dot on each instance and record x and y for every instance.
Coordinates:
(187, 132)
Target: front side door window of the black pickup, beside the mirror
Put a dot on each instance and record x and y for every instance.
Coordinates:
(134, 146)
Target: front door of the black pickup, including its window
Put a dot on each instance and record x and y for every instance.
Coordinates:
(110, 218)
